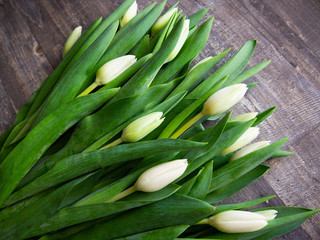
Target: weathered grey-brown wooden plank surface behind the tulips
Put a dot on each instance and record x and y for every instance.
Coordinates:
(32, 34)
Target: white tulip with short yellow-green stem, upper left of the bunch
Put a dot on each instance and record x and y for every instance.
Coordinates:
(109, 71)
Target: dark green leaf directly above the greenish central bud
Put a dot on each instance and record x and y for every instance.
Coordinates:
(96, 126)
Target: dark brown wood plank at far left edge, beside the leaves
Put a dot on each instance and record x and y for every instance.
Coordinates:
(23, 64)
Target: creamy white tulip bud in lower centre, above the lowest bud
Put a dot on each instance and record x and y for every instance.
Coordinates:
(161, 175)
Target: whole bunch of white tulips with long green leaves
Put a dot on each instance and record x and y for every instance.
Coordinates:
(112, 146)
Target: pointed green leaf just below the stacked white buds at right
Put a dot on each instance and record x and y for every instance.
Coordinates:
(241, 166)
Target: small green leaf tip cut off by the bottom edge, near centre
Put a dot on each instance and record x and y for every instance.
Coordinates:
(167, 233)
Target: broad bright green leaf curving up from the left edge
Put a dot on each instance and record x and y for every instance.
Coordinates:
(16, 165)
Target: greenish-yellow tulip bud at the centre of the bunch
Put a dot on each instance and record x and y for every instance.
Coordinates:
(141, 127)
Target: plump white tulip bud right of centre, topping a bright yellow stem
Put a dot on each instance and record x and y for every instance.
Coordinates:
(224, 99)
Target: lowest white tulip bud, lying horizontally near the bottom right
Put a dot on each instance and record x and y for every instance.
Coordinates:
(238, 221)
